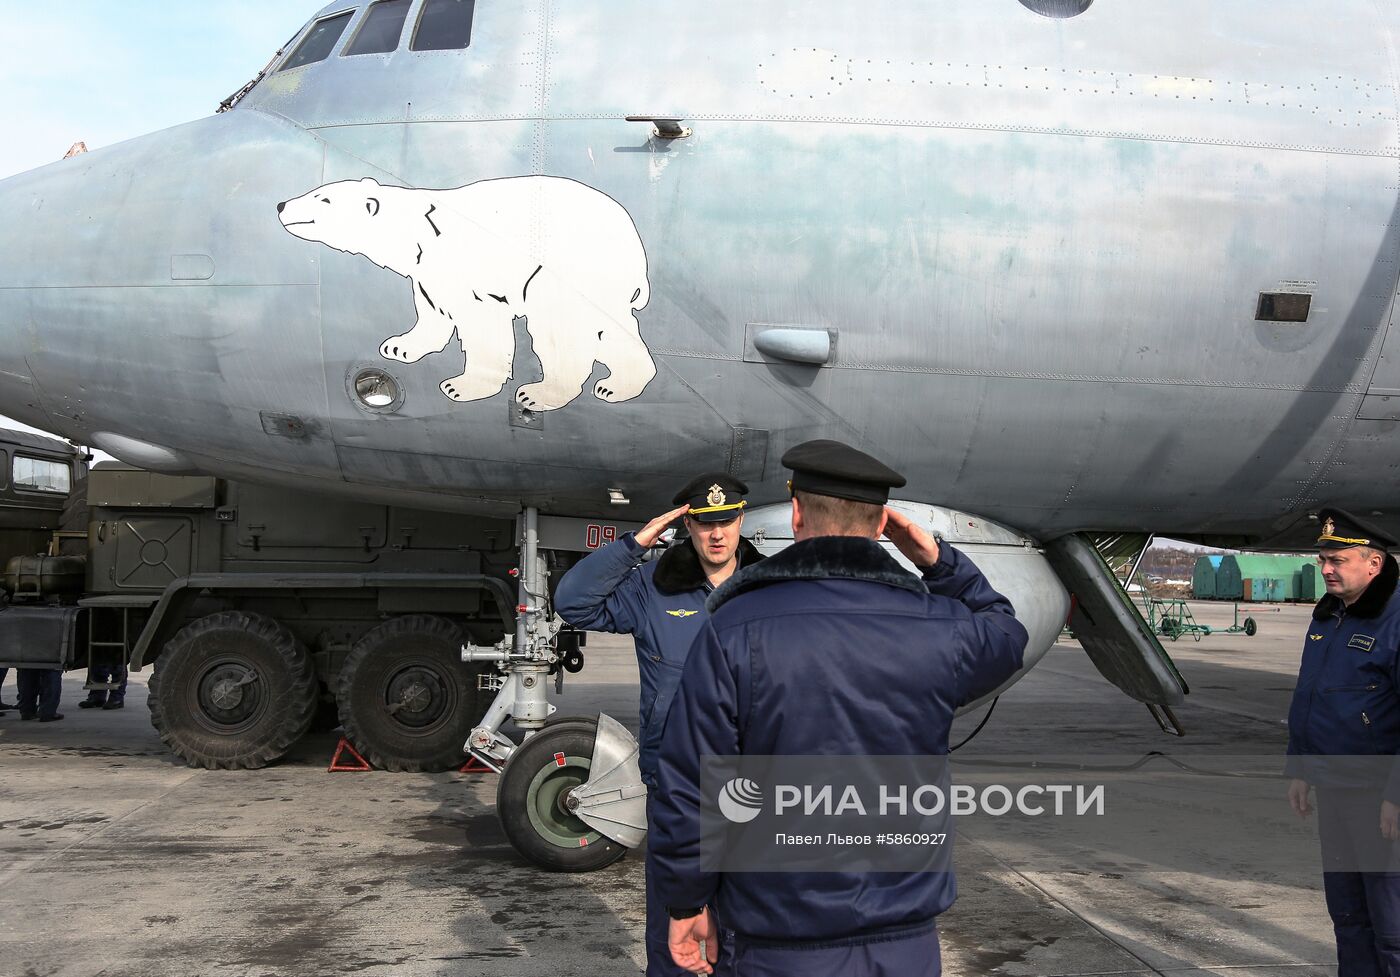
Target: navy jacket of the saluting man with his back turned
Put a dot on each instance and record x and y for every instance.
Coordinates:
(827, 649)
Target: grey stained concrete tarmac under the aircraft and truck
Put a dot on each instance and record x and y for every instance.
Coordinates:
(115, 859)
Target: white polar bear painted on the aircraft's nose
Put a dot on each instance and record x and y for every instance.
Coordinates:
(552, 250)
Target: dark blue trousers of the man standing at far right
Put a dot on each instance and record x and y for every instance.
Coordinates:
(1364, 906)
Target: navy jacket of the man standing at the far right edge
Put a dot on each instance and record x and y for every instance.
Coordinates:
(1347, 701)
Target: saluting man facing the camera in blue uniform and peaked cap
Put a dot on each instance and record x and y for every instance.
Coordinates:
(661, 604)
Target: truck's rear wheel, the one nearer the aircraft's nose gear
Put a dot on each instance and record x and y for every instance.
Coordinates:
(407, 699)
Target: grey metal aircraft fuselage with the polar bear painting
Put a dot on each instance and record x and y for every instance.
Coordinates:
(1020, 258)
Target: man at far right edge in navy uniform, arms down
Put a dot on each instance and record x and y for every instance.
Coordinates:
(1347, 706)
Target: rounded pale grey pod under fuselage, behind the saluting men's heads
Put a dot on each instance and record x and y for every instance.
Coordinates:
(1013, 563)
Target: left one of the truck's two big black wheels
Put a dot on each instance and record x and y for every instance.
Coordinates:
(233, 691)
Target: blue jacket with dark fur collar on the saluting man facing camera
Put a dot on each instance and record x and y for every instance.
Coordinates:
(661, 604)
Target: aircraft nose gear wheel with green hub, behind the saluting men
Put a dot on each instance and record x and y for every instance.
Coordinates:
(533, 799)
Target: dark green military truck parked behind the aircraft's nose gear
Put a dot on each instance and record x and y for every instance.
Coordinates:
(268, 611)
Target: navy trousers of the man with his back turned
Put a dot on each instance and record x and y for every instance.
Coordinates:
(916, 955)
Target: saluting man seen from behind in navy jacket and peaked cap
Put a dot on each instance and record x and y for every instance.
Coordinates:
(827, 649)
